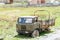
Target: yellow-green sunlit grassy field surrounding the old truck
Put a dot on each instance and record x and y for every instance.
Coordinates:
(8, 17)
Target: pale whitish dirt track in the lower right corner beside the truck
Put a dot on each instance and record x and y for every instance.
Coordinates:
(51, 36)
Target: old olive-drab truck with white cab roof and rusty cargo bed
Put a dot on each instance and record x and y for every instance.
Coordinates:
(32, 25)
